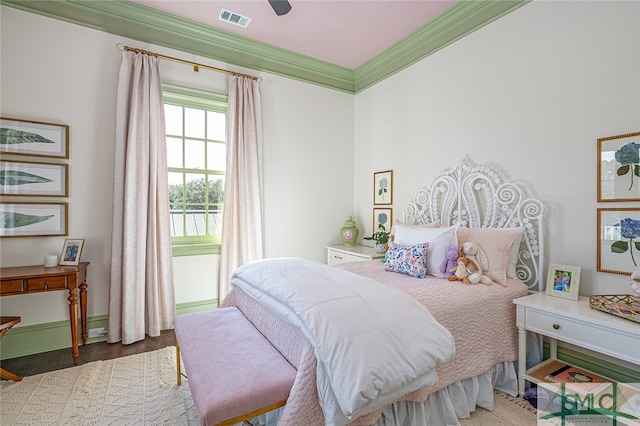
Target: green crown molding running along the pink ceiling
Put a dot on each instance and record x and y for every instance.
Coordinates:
(138, 22)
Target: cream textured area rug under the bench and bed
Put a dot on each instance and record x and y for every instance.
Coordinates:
(141, 390)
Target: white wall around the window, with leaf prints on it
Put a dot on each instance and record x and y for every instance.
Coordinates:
(58, 72)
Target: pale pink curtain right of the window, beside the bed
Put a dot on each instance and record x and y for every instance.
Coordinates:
(242, 213)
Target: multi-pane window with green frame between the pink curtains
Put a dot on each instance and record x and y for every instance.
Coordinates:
(196, 158)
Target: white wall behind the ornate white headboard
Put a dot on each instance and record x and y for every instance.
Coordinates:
(530, 93)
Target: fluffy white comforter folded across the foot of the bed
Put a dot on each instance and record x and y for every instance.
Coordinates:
(373, 343)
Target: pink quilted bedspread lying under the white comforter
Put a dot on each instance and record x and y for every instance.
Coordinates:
(480, 317)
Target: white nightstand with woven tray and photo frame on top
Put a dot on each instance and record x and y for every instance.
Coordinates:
(572, 322)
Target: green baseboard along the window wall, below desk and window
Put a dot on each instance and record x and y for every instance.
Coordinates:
(38, 338)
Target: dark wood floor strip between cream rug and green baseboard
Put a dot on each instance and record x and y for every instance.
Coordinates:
(62, 358)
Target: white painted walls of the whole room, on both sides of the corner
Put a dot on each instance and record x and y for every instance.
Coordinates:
(530, 93)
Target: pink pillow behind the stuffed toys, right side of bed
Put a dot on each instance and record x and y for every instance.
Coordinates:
(497, 244)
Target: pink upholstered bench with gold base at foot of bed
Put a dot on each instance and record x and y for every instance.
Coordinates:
(234, 372)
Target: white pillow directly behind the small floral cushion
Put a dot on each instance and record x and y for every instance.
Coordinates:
(438, 239)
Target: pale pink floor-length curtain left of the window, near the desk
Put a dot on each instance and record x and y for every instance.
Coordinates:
(141, 293)
